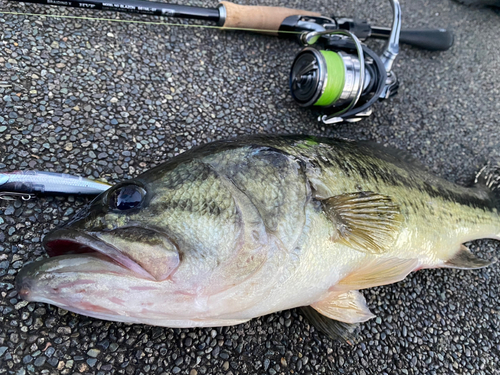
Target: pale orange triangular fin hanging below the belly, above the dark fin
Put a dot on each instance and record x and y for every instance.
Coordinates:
(348, 307)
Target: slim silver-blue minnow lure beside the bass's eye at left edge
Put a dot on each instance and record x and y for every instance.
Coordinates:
(26, 184)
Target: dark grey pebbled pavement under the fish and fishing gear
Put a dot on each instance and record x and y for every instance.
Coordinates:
(111, 100)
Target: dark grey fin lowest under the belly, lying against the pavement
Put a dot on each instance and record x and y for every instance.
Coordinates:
(332, 328)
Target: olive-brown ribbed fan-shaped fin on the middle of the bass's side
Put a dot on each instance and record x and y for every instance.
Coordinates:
(365, 221)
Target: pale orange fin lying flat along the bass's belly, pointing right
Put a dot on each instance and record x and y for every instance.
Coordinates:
(380, 271)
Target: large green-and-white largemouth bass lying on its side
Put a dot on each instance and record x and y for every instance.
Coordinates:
(238, 229)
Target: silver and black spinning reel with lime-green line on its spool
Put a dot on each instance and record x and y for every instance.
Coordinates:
(338, 73)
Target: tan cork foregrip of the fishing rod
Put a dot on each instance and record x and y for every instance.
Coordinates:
(257, 17)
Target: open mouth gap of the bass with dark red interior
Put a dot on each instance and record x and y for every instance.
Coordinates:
(67, 242)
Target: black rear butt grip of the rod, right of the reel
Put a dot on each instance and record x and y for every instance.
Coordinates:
(428, 39)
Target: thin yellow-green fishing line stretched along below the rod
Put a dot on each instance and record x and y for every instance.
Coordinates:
(150, 22)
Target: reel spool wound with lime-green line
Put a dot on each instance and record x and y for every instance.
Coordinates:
(325, 78)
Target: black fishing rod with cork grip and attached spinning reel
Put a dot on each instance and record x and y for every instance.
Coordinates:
(334, 71)
